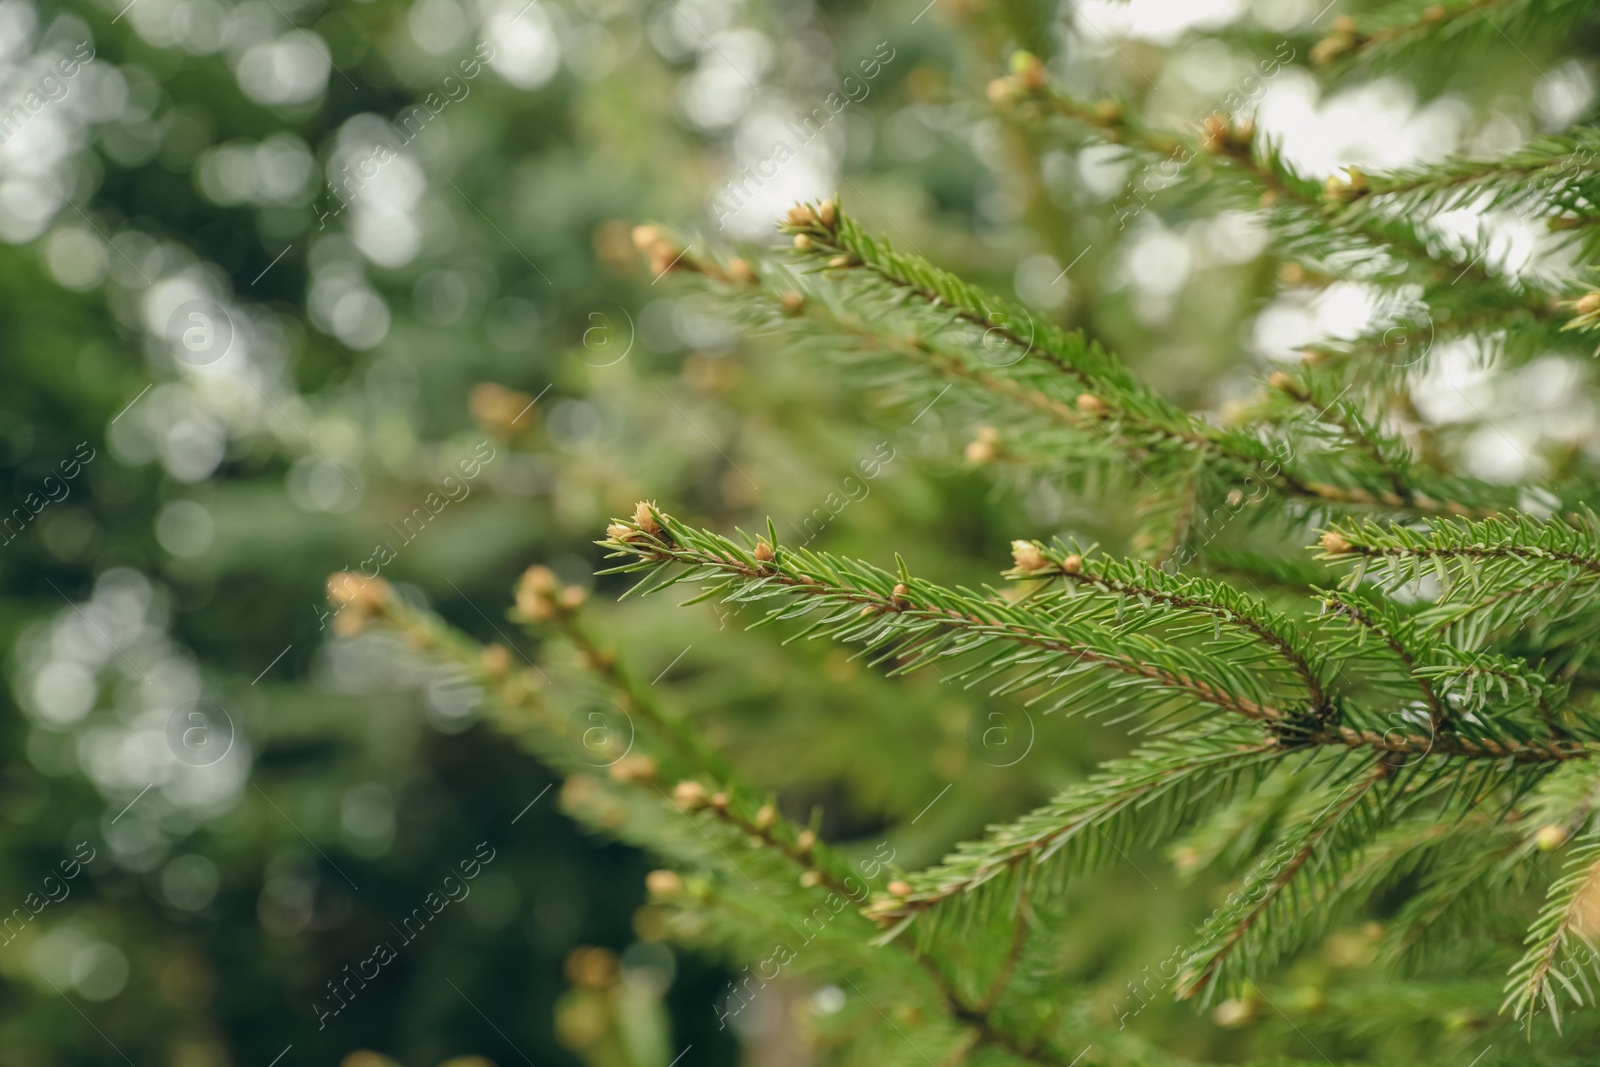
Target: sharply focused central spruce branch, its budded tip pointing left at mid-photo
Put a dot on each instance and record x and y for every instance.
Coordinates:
(919, 623)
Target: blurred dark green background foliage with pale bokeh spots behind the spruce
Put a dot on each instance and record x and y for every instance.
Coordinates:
(476, 294)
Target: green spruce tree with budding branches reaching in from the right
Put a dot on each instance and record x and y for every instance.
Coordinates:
(1353, 676)
